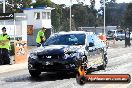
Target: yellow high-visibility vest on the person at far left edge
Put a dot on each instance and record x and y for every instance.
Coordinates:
(6, 44)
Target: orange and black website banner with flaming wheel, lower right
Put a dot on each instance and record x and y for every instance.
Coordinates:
(105, 78)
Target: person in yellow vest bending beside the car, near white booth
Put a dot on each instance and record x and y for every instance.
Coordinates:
(40, 37)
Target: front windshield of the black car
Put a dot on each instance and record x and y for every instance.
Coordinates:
(66, 39)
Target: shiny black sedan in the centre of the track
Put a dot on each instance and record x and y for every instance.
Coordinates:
(66, 51)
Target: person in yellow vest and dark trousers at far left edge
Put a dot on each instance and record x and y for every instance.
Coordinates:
(4, 47)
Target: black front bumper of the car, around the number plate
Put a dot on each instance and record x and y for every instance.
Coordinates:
(54, 65)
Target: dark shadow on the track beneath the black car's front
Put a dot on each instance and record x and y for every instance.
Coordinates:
(41, 78)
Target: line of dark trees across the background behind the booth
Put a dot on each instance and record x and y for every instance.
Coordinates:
(117, 14)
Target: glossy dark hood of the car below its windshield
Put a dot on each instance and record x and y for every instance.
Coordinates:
(57, 49)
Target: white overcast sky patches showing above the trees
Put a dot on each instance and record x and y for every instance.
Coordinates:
(67, 2)
